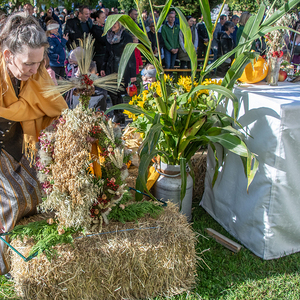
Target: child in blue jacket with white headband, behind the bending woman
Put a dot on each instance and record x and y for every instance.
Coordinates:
(56, 53)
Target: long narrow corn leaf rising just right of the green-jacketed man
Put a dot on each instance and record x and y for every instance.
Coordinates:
(188, 42)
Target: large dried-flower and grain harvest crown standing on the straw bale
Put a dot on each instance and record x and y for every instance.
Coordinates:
(82, 167)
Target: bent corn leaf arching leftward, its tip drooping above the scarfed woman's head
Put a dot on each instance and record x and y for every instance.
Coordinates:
(130, 25)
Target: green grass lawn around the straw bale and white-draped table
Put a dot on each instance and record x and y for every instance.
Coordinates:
(231, 276)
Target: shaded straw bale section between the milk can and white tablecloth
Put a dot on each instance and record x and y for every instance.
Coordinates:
(198, 164)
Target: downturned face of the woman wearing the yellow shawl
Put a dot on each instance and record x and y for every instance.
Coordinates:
(26, 63)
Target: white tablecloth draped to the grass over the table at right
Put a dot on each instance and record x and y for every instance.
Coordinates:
(267, 219)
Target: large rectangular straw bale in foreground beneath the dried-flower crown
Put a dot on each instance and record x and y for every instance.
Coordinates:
(136, 264)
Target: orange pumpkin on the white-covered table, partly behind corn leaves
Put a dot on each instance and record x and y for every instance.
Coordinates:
(255, 73)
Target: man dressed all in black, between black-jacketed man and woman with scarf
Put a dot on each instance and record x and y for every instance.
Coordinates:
(100, 41)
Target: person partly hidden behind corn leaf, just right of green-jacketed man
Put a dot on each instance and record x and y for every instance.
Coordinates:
(185, 62)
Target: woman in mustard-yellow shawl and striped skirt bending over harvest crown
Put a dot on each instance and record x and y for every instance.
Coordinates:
(24, 112)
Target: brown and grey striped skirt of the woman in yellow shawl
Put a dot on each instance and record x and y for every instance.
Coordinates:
(19, 196)
